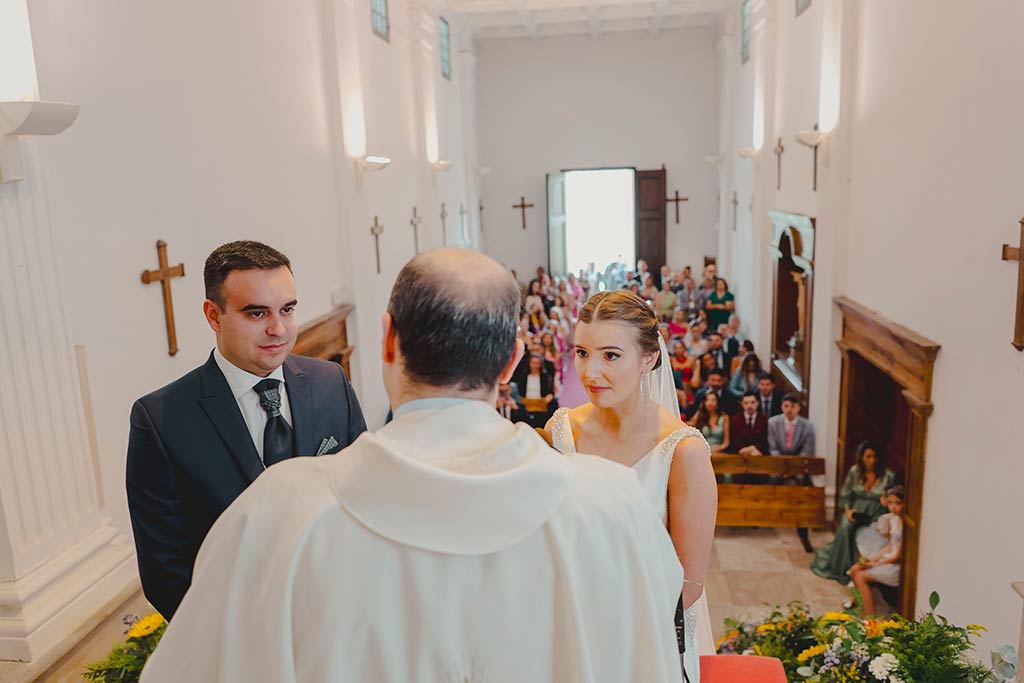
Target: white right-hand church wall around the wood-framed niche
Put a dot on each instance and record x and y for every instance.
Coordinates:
(914, 206)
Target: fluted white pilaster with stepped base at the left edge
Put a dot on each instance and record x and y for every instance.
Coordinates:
(61, 561)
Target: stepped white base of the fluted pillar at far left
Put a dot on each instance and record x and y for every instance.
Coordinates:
(42, 610)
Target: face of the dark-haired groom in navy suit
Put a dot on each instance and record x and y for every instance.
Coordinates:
(257, 330)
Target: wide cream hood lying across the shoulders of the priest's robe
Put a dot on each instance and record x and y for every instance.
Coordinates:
(459, 480)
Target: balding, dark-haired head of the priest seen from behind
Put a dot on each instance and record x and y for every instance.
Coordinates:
(450, 329)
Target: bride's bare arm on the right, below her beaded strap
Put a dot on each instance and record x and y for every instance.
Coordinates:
(693, 509)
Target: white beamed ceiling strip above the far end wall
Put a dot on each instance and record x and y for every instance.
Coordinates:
(539, 19)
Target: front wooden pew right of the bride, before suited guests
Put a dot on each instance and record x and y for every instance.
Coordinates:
(766, 504)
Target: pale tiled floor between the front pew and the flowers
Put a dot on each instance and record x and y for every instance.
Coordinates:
(754, 570)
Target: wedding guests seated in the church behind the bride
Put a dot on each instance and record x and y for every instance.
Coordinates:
(726, 391)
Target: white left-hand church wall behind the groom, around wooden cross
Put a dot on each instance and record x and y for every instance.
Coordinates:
(203, 124)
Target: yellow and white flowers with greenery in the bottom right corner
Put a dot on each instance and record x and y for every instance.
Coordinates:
(843, 648)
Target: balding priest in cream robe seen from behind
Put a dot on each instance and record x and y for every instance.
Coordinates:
(449, 546)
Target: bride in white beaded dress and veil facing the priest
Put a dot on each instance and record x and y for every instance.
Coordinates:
(633, 419)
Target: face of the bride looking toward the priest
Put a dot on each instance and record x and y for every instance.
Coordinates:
(610, 362)
